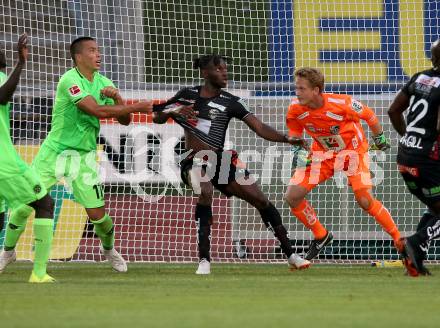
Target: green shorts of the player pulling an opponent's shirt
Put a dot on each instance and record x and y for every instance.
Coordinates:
(79, 170)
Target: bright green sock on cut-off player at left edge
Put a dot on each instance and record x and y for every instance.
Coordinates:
(43, 234)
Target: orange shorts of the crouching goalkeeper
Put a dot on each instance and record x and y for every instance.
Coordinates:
(355, 165)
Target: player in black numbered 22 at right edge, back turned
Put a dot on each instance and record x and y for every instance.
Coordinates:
(418, 157)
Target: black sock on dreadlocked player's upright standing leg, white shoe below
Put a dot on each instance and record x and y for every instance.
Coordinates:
(204, 221)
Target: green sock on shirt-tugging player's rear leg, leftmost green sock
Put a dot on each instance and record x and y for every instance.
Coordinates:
(16, 226)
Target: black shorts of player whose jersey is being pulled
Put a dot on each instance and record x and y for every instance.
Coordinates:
(220, 175)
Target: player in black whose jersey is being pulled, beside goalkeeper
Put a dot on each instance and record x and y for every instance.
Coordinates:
(204, 113)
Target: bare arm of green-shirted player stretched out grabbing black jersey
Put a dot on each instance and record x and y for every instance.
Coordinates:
(91, 107)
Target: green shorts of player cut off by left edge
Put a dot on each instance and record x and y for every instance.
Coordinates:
(22, 188)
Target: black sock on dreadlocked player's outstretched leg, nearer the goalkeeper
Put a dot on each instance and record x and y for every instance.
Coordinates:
(272, 219)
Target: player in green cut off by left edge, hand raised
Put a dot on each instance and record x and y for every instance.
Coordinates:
(19, 184)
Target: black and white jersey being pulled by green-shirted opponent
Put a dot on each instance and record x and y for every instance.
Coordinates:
(213, 115)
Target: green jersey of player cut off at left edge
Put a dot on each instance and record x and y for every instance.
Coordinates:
(10, 162)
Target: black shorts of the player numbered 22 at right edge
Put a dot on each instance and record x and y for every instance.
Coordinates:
(423, 181)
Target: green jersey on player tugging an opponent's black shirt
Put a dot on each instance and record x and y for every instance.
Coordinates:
(71, 127)
